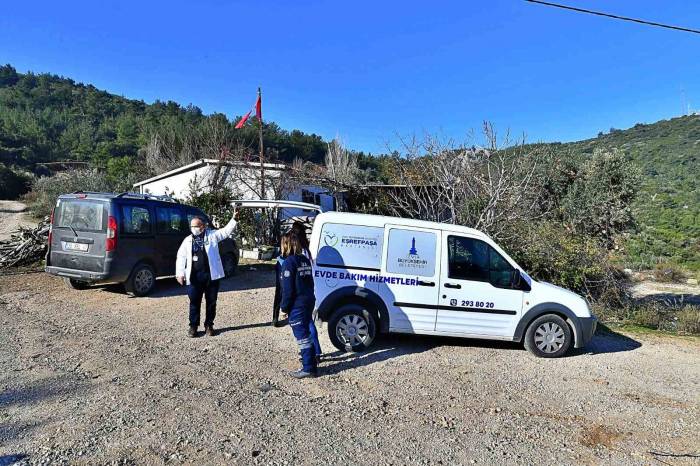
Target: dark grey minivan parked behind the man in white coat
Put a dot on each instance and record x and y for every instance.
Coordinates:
(99, 238)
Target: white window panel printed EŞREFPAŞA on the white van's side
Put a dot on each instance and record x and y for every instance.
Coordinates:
(350, 247)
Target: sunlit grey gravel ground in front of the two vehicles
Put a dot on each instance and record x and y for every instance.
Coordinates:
(96, 377)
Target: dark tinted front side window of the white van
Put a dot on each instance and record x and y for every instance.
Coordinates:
(473, 259)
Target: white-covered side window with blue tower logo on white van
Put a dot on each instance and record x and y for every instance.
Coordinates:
(411, 252)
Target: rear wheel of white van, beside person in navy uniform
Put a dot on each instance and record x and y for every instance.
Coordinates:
(356, 319)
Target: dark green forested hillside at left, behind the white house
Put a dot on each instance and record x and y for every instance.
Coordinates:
(47, 118)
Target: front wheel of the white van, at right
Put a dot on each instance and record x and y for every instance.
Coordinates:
(548, 336)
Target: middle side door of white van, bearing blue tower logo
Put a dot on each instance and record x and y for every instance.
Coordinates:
(409, 277)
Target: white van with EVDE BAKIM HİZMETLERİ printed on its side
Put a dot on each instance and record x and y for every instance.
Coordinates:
(384, 274)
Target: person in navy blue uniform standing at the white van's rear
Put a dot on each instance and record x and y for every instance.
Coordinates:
(297, 300)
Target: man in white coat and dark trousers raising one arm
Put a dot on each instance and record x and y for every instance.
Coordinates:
(199, 266)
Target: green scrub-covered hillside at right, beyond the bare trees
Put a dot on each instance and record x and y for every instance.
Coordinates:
(667, 207)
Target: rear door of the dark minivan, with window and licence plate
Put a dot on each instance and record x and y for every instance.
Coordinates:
(79, 234)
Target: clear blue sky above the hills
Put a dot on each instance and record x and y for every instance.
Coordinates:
(369, 71)
